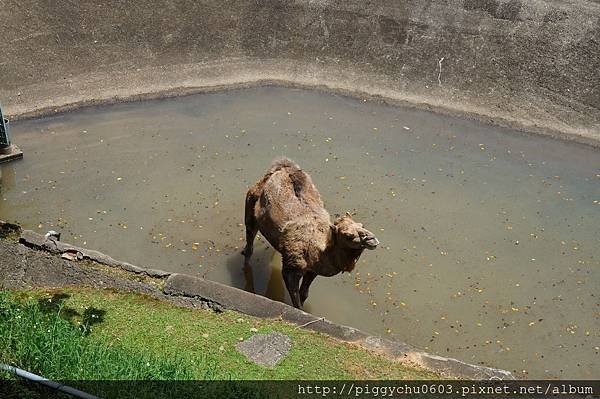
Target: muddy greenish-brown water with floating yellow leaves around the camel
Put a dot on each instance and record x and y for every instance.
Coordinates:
(490, 241)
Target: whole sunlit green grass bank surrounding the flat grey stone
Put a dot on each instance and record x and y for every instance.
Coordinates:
(83, 334)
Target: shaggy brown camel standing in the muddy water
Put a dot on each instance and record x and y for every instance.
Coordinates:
(287, 209)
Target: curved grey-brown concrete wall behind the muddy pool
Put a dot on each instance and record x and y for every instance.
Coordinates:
(530, 64)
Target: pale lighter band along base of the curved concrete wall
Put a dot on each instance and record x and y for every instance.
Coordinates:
(49, 99)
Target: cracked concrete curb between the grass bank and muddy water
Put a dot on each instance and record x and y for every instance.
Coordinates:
(231, 298)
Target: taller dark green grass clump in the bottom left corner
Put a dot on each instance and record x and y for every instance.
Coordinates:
(40, 336)
